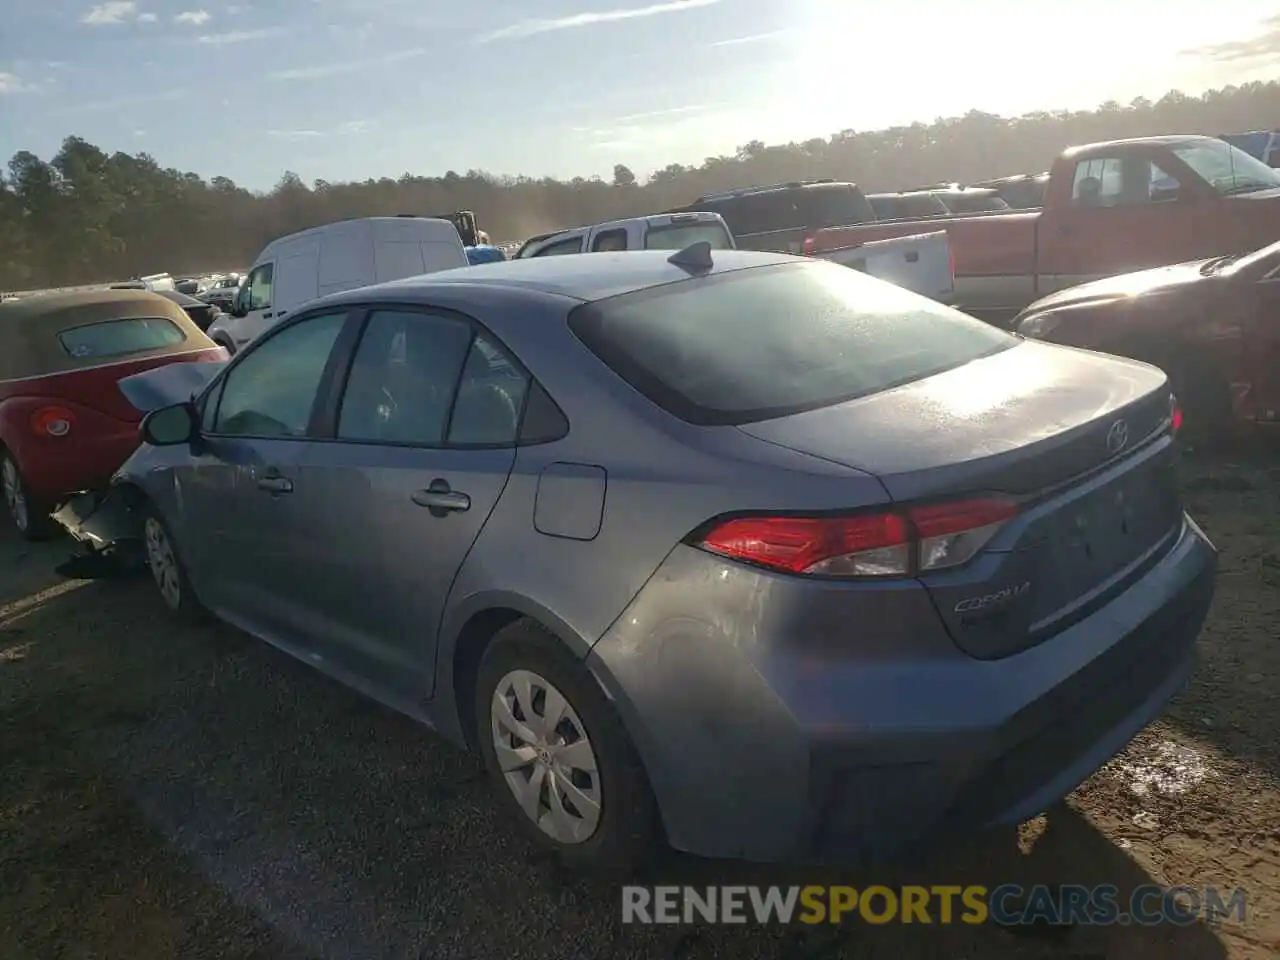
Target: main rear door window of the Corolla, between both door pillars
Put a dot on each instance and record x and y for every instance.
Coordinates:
(404, 380)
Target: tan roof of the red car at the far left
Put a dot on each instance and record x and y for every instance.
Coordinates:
(30, 327)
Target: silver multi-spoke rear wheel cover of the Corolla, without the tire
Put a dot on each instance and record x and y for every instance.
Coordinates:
(546, 757)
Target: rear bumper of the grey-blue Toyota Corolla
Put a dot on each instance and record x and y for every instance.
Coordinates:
(774, 730)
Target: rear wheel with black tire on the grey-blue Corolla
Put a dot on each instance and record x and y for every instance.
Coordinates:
(625, 830)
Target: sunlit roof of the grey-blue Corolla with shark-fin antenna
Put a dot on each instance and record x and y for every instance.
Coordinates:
(579, 277)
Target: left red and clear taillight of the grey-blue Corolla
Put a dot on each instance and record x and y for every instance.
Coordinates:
(888, 545)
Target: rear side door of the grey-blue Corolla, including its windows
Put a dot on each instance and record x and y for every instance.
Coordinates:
(423, 441)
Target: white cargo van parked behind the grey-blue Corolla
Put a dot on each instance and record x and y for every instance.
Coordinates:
(339, 257)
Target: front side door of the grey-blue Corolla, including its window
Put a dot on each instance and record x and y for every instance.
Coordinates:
(241, 529)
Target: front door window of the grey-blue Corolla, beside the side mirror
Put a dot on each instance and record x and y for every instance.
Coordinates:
(272, 391)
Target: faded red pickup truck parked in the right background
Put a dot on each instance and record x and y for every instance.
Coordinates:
(1109, 209)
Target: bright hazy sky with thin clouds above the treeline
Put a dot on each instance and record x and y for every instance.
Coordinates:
(346, 90)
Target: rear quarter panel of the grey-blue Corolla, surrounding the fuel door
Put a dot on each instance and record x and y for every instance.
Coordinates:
(664, 479)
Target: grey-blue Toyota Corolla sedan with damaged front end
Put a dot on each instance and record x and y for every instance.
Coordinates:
(747, 554)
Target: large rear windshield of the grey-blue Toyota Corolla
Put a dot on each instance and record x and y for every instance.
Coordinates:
(766, 342)
